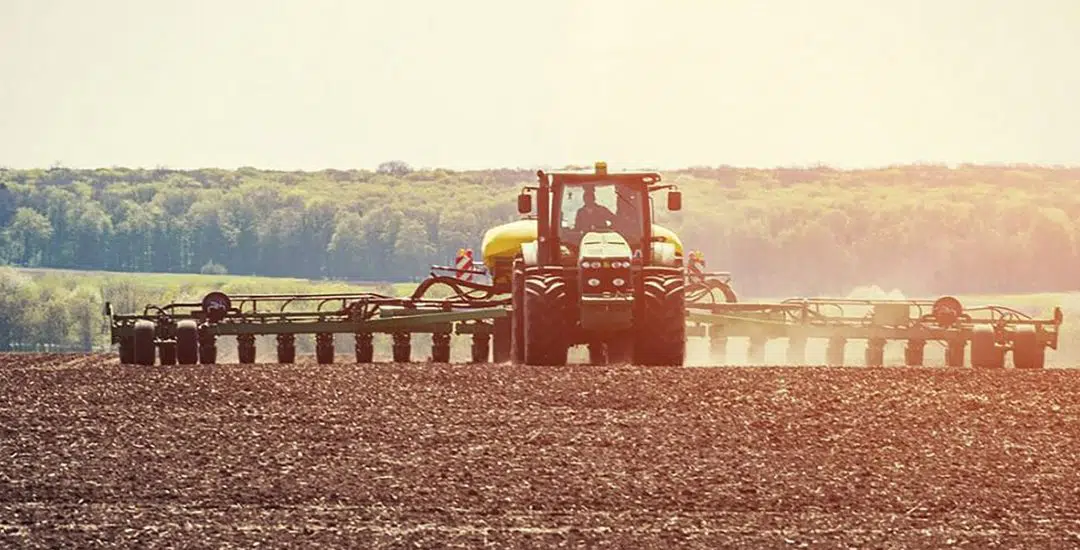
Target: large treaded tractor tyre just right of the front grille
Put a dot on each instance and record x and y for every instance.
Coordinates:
(661, 326)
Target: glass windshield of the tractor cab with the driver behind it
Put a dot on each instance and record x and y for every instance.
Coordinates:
(601, 207)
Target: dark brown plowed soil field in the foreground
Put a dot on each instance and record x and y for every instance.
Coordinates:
(389, 455)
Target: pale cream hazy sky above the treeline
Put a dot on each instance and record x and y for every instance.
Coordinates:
(313, 85)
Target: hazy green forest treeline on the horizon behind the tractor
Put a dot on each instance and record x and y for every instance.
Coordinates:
(788, 232)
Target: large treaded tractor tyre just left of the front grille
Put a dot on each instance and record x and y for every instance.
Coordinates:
(547, 313)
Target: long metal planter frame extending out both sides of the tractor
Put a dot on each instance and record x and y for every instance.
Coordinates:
(474, 311)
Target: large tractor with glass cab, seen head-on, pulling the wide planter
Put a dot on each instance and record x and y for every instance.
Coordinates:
(593, 270)
